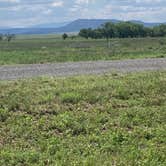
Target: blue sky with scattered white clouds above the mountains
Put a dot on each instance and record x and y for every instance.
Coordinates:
(24, 13)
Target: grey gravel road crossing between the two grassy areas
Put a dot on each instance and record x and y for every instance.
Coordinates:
(79, 68)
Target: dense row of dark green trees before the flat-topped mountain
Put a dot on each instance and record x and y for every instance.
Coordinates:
(123, 30)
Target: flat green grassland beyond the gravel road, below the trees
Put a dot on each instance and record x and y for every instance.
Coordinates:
(44, 49)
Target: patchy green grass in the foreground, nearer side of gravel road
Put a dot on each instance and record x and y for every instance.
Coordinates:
(87, 120)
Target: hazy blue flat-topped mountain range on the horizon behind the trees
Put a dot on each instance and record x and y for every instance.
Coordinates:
(74, 26)
